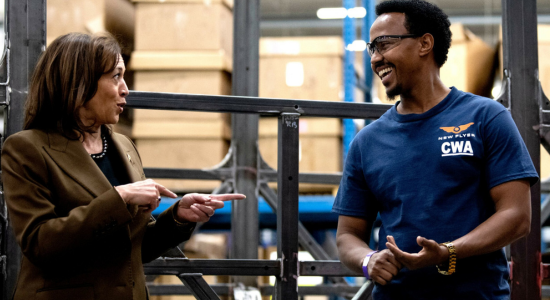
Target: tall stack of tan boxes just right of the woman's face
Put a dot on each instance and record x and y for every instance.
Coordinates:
(182, 46)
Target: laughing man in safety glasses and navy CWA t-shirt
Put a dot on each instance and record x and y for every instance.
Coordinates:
(447, 171)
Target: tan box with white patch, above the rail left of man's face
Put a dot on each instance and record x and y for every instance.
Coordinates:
(301, 68)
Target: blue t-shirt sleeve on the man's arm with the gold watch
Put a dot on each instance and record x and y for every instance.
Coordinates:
(507, 157)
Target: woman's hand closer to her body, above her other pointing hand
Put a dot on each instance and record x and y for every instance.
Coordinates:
(145, 194)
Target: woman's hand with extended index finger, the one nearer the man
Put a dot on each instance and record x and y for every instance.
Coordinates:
(200, 207)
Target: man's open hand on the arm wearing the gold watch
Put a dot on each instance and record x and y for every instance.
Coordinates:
(431, 254)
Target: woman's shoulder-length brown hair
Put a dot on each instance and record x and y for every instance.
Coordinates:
(65, 78)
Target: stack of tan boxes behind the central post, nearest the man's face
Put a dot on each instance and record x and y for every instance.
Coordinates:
(304, 68)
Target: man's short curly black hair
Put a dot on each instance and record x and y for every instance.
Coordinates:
(422, 17)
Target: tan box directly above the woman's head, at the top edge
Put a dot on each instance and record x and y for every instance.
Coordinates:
(91, 16)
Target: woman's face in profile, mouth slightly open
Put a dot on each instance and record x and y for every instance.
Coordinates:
(109, 100)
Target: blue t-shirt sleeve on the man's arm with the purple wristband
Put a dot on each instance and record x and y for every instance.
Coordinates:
(354, 197)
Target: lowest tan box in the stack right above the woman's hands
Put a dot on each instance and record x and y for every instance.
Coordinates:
(183, 153)
